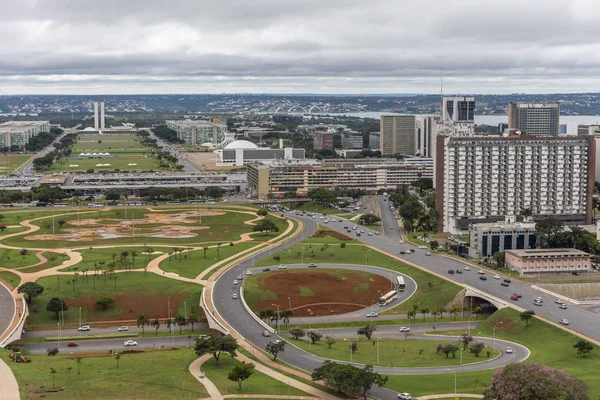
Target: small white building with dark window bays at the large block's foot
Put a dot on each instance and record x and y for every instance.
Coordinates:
(488, 239)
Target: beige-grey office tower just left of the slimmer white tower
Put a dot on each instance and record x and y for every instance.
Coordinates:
(397, 134)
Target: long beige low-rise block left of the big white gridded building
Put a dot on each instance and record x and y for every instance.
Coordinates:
(280, 177)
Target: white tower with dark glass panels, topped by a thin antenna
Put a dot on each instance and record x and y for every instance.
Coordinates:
(458, 116)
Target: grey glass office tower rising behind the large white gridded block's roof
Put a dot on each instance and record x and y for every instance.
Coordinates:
(540, 119)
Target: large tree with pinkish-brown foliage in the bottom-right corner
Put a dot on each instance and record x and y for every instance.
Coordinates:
(528, 381)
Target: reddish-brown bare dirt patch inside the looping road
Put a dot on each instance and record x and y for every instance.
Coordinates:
(333, 292)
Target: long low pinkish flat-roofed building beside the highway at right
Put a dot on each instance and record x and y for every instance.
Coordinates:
(545, 261)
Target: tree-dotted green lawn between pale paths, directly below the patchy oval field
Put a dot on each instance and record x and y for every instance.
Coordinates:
(93, 257)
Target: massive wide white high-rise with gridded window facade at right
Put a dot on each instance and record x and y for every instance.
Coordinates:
(484, 179)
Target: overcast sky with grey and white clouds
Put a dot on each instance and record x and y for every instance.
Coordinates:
(308, 46)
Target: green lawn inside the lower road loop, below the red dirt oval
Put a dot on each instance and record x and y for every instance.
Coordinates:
(392, 352)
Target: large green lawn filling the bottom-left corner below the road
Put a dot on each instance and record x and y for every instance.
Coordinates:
(152, 375)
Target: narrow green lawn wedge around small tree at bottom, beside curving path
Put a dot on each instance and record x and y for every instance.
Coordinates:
(258, 383)
